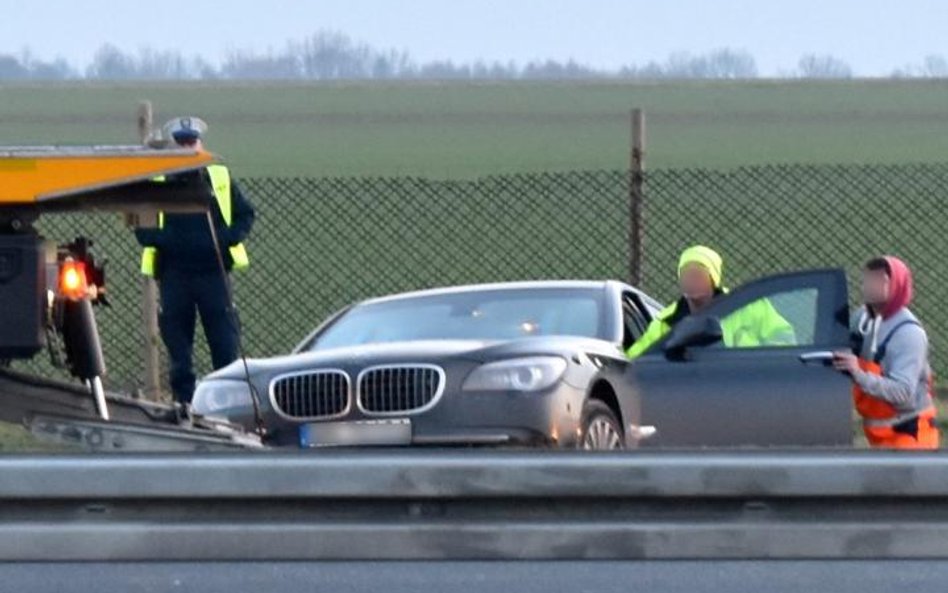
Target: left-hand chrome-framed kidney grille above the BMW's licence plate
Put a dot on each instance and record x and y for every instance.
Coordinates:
(311, 395)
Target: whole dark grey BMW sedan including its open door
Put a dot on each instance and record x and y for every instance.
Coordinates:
(543, 363)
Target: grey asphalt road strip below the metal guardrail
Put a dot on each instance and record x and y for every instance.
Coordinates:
(491, 577)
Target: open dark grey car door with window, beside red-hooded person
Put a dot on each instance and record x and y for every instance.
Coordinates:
(732, 375)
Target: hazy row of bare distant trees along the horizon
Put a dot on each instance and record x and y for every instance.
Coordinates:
(330, 55)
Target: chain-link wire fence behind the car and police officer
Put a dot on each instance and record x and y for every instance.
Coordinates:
(320, 243)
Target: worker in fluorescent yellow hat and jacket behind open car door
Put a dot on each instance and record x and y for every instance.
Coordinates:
(701, 275)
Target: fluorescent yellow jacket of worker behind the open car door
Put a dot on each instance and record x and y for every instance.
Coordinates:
(755, 324)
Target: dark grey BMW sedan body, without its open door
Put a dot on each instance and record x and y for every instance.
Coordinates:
(496, 364)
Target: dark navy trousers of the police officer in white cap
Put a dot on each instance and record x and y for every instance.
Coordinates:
(183, 296)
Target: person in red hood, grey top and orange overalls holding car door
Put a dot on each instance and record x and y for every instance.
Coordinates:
(892, 378)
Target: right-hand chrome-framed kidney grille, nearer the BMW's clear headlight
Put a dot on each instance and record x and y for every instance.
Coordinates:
(400, 389)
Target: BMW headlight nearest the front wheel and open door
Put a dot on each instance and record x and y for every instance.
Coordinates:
(520, 374)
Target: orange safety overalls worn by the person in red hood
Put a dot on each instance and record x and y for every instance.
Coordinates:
(883, 425)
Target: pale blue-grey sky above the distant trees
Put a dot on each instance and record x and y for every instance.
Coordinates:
(874, 36)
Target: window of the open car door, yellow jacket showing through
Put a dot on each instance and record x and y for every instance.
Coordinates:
(783, 319)
